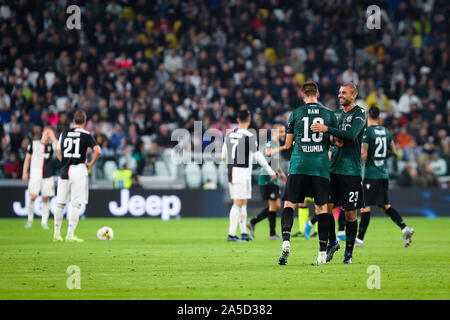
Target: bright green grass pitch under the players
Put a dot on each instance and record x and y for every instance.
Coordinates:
(190, 259)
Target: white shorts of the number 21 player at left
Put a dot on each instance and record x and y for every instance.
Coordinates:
(76, 188)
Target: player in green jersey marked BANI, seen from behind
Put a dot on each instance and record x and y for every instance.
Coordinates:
(309, 168)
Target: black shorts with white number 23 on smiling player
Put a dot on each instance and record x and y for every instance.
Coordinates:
(346, 191)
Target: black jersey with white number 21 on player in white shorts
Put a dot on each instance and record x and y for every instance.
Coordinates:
(73, 145)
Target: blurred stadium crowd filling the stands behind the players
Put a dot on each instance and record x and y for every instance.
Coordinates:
(144, 68)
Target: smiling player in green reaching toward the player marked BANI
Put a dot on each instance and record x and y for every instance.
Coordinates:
(345, 176)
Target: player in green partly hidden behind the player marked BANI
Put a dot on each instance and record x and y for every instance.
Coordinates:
(270, 191)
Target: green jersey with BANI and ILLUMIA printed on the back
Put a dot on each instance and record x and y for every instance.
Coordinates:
(310, 155)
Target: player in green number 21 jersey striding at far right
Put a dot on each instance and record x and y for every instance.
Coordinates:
(376, 147)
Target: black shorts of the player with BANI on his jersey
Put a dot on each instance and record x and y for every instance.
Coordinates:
(299, 186)
